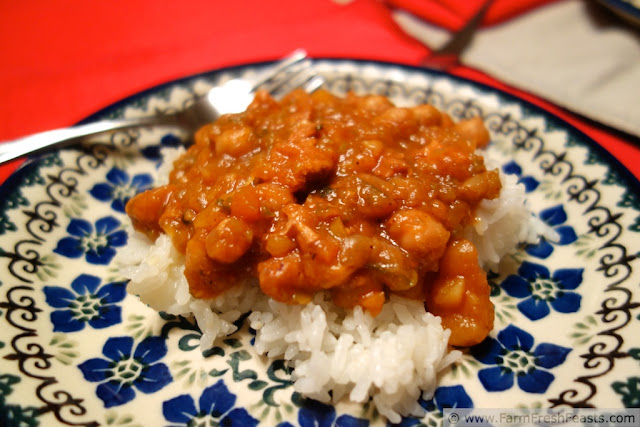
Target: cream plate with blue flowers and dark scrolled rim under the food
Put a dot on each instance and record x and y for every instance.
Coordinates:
(76, 349)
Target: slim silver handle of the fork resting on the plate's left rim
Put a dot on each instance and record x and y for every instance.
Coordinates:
(12, 150)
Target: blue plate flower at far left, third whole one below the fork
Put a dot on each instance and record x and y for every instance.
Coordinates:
(86, 302)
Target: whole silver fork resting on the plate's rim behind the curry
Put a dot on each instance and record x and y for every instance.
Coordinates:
(232, 97)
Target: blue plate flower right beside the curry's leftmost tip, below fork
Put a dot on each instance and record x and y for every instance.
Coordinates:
(120, 188)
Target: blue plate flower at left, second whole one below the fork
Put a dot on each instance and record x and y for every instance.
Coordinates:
(96, 244)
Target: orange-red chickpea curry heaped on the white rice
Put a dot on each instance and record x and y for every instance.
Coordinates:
(350, 195)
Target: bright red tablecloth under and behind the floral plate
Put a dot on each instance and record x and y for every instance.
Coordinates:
(61, 61)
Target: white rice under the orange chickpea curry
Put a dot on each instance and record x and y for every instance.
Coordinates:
(392, 359)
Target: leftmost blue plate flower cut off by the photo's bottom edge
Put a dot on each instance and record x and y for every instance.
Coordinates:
(215, 408)
